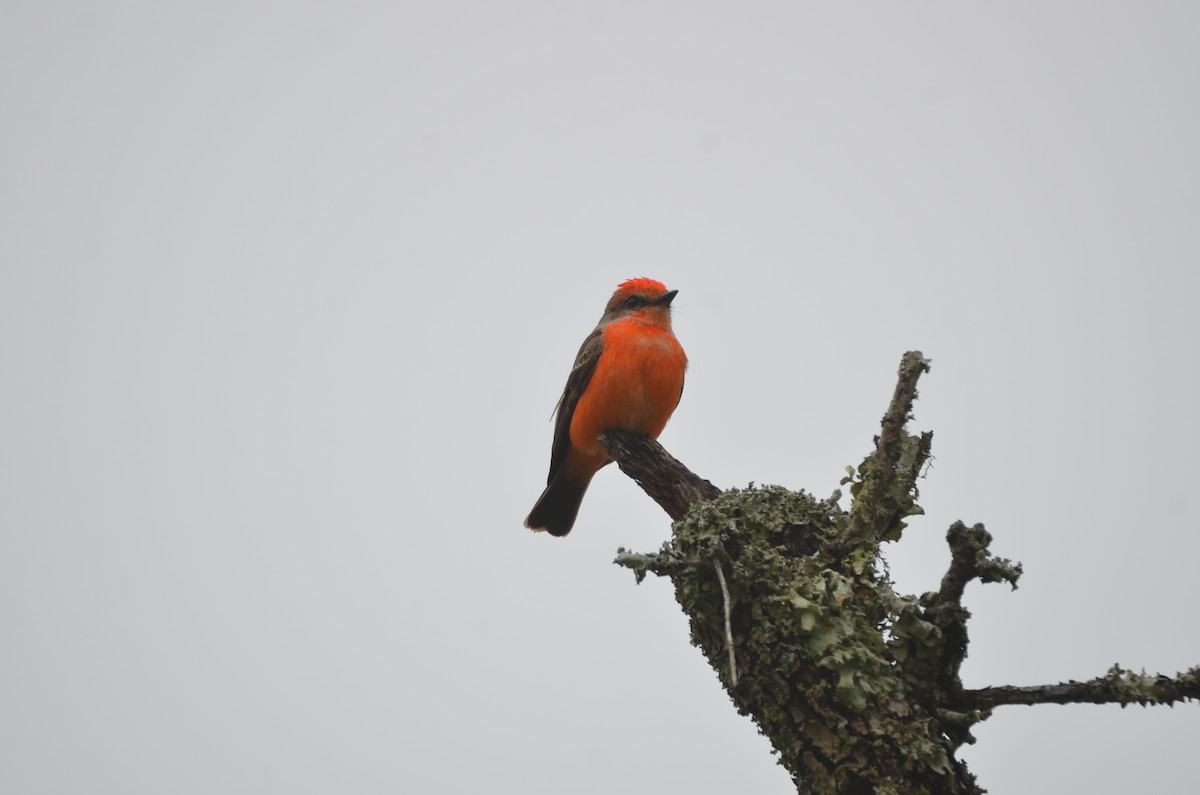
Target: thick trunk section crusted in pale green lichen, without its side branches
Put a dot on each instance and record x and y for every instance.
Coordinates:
(820, 643)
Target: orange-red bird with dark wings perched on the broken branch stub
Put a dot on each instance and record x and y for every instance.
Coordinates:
(628, 375)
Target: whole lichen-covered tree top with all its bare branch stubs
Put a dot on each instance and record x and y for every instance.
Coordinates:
(856, 686)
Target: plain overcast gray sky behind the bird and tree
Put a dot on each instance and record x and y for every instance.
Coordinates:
(289, 292)
